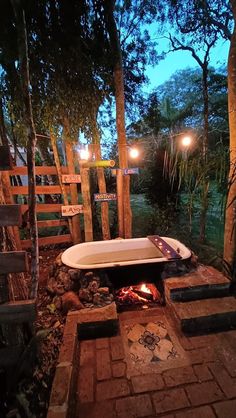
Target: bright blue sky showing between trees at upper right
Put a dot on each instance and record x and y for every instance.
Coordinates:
(181, 59)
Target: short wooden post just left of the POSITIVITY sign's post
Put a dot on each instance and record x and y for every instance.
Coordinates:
(85, 189)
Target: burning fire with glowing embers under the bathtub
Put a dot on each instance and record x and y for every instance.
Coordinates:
(144, 293)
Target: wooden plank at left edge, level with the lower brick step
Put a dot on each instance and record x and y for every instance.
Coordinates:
(18, 312)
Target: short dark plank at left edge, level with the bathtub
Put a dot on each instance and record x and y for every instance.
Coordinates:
(13, 262)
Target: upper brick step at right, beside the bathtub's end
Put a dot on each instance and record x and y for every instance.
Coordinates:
(204, 283)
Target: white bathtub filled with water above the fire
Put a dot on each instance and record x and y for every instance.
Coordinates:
(119, 252)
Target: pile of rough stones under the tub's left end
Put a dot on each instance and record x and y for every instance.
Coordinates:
(74, 289)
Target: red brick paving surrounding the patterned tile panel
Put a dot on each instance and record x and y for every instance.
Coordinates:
(205, 389)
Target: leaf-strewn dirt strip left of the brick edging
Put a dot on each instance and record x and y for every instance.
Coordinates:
(31, 381)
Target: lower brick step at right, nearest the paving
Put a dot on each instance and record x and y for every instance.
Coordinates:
(206, 315)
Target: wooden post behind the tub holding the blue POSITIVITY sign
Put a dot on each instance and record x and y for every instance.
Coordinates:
(102, 189)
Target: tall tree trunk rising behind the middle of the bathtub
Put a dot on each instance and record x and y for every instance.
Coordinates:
(120, 111)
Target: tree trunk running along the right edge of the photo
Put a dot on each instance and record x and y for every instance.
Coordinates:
(230, 213)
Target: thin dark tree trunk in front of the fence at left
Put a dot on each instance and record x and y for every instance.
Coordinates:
(31, 140)
